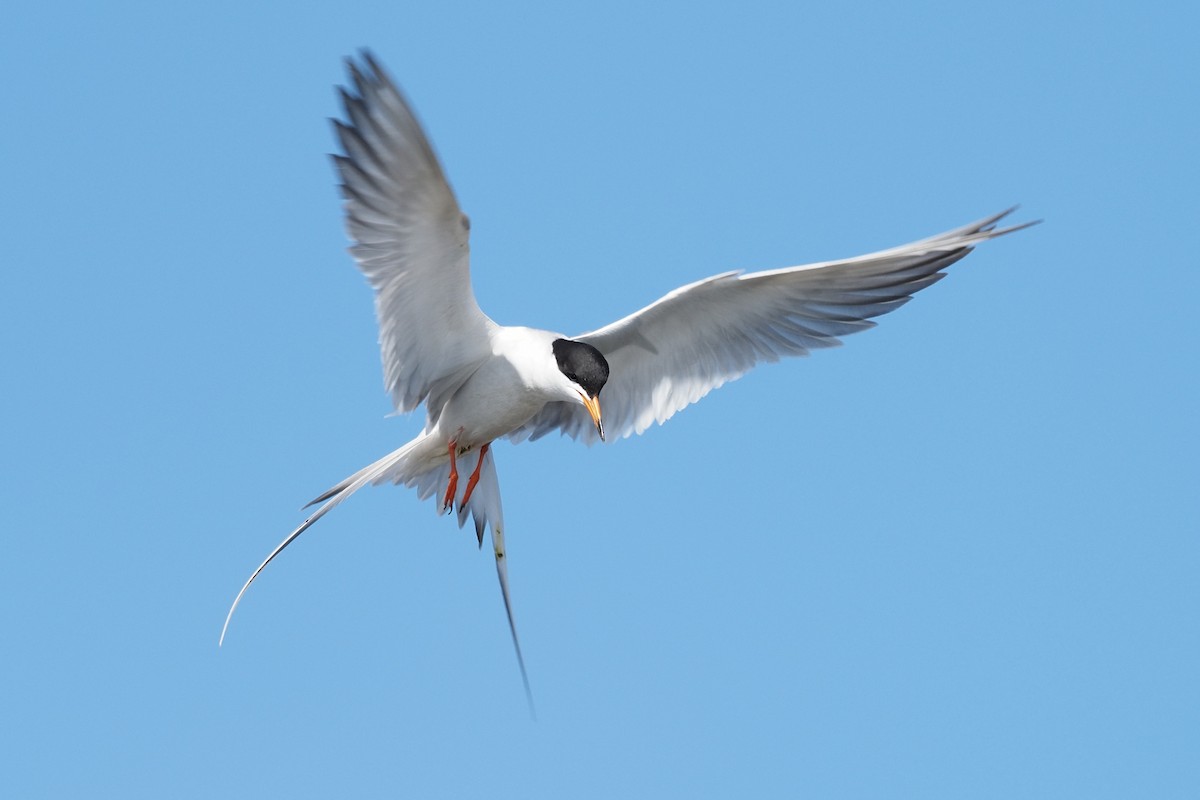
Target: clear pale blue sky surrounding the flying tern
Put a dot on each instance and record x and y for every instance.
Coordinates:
(956, 558)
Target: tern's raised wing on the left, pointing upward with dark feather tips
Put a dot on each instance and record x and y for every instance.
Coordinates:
(411, 240)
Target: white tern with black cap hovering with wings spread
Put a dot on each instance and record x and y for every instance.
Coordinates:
(482, 382)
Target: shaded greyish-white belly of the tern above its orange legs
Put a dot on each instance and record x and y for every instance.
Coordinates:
(491, 405)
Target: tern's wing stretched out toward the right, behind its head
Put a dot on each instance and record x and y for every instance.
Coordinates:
(698, 338)
